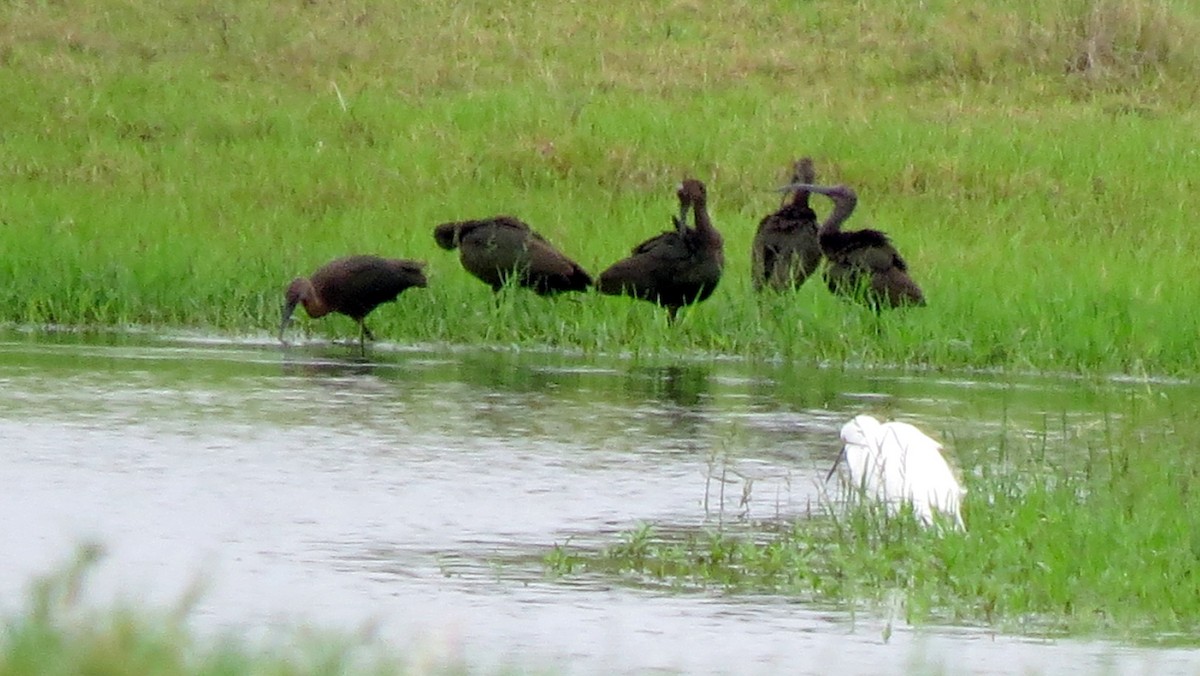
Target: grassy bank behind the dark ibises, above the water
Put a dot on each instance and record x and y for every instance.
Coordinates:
(177, 165)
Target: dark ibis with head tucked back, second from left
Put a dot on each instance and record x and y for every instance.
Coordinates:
(502, 249)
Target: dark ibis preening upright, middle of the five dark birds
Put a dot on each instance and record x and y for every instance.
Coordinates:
(675, 268)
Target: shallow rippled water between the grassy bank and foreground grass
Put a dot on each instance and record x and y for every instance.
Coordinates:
(417, 493)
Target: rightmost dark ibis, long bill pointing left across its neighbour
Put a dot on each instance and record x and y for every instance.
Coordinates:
(863, 265)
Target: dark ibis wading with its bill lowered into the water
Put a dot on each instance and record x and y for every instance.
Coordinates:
(352, 286)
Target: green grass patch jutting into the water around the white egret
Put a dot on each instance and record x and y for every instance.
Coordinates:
(1079, 533)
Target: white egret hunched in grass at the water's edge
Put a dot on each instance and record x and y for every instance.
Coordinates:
(897, 464)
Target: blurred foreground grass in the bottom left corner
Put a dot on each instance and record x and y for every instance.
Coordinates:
(57, 635)
